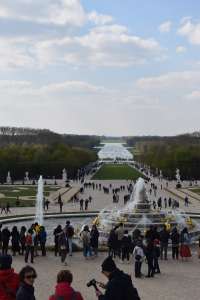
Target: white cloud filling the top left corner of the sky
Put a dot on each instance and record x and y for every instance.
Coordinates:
(57, 12)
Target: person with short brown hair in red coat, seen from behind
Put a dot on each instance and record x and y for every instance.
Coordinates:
(63, 288)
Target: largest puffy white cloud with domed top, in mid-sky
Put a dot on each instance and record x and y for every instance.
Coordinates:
(108, 45)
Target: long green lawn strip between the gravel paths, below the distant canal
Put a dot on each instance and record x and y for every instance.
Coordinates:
(117, 171)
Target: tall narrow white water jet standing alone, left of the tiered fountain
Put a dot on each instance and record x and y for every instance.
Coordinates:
(39, 202)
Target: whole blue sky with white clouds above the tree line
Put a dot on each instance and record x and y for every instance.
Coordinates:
(105, 67)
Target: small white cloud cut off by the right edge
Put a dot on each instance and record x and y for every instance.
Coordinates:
(191, 31)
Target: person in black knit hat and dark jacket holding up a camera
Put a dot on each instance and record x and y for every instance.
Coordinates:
(119, 286)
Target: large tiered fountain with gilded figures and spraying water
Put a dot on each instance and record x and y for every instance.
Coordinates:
(137, 214)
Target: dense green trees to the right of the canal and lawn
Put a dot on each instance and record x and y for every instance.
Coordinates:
(170, 155)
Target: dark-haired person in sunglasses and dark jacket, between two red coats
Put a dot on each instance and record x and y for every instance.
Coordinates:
(27, 276)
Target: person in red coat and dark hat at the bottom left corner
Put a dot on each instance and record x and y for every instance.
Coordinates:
(9, 280)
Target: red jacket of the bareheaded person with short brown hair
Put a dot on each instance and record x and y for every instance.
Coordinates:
(64, 290)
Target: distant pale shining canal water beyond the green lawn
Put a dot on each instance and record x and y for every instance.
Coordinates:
(114, 151)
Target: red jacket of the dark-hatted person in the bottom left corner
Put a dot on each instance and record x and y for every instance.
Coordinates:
(9, 283)
